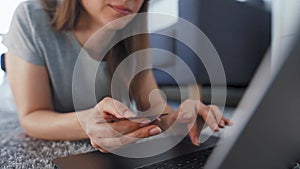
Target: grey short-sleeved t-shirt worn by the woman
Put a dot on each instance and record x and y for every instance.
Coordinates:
(31, 38)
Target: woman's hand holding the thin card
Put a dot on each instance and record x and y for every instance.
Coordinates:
(106, 133)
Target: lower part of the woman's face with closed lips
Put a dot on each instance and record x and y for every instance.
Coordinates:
(102, 12)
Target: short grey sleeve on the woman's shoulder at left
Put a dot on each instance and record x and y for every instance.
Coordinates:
(21, 39)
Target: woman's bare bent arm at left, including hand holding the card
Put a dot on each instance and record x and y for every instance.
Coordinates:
(31, 90)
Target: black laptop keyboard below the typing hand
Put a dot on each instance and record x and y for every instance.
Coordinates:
(193, 160)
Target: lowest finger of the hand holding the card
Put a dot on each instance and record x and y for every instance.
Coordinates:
(110, 144)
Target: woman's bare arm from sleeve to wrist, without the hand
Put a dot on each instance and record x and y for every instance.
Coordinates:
(31, 90)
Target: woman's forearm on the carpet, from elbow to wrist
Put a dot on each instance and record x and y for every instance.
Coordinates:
(50, 125)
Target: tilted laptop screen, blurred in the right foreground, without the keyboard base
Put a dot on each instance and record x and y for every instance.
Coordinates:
(266, 132)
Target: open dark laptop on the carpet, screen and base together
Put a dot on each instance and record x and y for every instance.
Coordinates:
(265, 134)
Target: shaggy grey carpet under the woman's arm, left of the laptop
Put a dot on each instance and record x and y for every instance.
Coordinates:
(20, 151)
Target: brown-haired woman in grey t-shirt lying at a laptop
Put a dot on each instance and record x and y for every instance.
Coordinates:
(44, 41)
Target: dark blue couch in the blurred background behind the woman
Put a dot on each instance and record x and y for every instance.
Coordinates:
(240, 32)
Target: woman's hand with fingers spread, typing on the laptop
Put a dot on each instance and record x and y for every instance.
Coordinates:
(195, 115)
